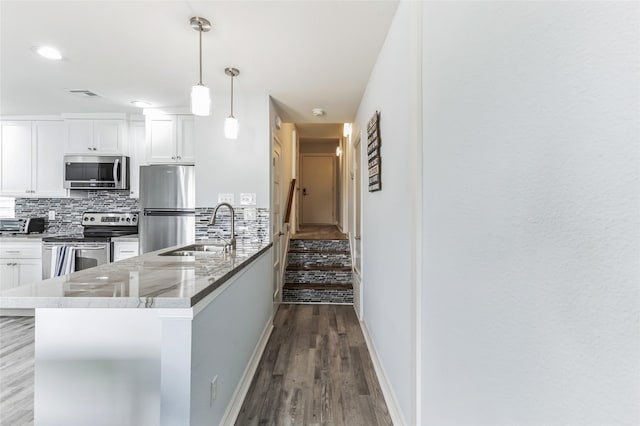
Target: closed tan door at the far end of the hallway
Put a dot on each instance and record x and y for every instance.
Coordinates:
(318, 189)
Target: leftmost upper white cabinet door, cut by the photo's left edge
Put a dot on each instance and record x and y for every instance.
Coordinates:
(15, 152)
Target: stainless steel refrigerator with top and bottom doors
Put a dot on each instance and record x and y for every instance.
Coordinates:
(167, 203)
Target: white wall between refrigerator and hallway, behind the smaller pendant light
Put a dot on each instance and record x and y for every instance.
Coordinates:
(233, 166)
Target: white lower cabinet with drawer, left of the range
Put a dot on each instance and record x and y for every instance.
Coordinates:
(20, 263)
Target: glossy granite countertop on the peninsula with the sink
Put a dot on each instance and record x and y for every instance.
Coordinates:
(146, 281)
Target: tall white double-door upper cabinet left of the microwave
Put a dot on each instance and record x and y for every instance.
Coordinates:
(31, 155)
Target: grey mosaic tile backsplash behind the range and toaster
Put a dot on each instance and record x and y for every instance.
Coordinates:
(69, 210)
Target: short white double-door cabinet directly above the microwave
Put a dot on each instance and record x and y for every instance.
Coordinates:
(95, 136)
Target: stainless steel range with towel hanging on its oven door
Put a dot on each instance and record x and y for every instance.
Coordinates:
(92, 248)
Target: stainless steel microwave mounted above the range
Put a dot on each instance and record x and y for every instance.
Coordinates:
(96, 172)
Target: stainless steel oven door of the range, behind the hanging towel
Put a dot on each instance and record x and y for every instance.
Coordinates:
(87, 255)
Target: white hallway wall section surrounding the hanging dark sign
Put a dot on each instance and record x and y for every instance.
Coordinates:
(388, 225)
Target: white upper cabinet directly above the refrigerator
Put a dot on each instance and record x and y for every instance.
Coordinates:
(170, 139)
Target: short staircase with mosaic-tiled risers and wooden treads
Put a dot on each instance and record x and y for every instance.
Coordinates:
(318, 271)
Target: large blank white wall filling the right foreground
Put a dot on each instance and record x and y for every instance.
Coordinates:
(531, 226)
